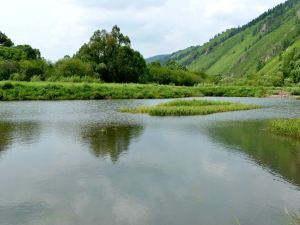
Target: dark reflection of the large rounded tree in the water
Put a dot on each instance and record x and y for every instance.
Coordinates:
(112, 141)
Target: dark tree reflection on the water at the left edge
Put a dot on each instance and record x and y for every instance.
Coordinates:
(17, 132)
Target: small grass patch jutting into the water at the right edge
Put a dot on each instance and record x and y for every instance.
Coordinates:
(285, 127)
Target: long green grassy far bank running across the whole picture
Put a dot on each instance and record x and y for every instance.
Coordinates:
(12, 91)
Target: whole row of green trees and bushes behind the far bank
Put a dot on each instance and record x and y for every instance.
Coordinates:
(106, 57)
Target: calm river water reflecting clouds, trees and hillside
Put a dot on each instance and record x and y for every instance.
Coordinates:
(81, 162)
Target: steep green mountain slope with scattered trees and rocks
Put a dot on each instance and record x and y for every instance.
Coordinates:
(251, 49)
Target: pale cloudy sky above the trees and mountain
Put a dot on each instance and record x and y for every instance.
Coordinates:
(60, 27)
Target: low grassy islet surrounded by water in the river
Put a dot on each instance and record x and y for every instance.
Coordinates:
(189, 108)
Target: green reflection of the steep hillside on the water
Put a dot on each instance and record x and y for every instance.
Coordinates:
(278, 154)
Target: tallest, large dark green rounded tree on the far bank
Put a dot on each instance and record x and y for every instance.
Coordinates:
(112, 56)
